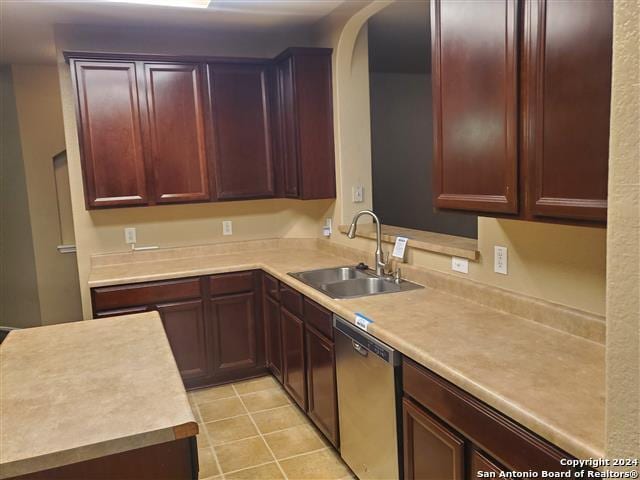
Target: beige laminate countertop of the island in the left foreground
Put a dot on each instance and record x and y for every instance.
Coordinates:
(77, 391)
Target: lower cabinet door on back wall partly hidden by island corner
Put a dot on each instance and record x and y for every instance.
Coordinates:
(184, 324)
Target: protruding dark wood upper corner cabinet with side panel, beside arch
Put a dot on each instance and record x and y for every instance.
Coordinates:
(304, 119)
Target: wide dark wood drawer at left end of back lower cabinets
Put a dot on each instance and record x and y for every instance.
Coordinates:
(110, 298)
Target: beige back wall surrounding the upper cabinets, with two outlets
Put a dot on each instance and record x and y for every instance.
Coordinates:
(102, 231)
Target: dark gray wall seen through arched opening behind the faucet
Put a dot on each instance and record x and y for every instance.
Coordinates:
(402, 155)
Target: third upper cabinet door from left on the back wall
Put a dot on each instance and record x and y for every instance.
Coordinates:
(240, 120)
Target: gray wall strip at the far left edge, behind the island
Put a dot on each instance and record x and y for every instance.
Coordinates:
(19, 302)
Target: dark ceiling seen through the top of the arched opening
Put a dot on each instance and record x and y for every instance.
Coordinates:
(399, 38)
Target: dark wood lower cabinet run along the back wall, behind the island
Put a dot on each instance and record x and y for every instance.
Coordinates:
(214, 323)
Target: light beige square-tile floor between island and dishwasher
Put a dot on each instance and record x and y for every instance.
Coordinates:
(252, 430)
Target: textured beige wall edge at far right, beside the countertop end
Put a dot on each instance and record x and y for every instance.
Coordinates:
(623, 272)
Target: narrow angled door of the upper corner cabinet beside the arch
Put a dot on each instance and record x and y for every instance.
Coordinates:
(286, 120)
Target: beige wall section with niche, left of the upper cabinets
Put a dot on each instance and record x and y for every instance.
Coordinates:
(40, 119)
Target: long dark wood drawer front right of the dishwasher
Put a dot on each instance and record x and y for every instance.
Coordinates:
(501, 437)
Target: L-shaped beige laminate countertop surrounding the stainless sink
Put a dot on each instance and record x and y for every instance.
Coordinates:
(549, 381)
